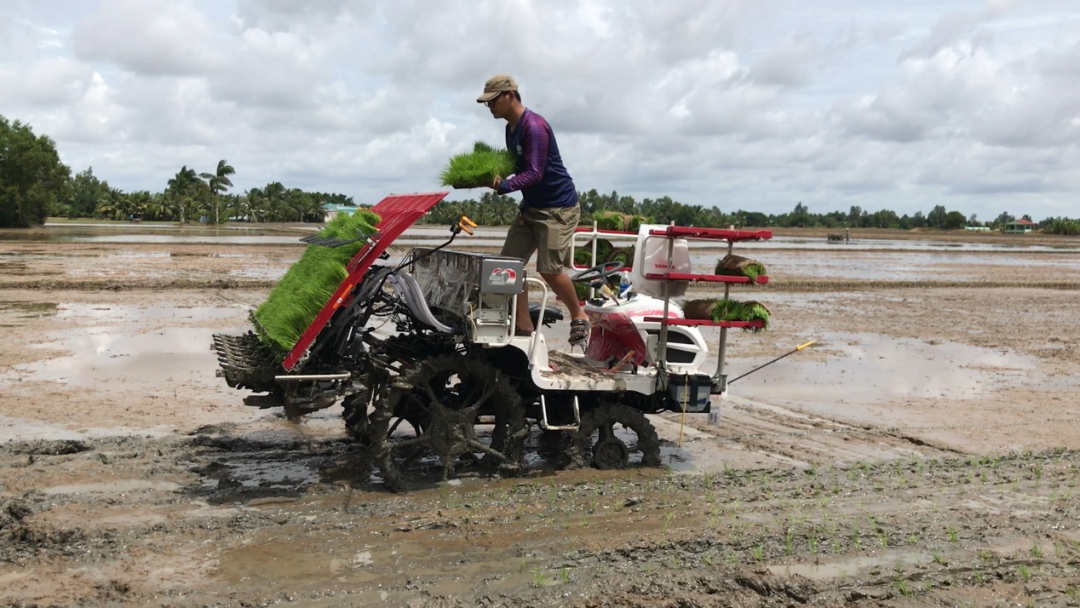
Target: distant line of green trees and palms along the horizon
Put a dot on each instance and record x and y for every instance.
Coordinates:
(35, 185)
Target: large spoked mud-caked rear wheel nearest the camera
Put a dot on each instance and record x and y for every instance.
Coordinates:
(442, 400)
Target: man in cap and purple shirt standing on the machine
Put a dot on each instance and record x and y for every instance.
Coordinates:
(549, 210)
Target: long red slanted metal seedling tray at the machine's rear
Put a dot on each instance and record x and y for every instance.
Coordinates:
(397, 213)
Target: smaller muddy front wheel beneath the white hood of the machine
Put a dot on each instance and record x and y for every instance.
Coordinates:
(614, 437)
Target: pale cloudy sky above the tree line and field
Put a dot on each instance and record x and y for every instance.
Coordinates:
(755, 105)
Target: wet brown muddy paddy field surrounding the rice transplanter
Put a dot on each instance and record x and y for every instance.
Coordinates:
(925, 452)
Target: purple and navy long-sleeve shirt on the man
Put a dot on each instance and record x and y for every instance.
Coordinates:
(541, 174)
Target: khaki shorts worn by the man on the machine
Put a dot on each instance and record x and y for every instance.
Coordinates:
(549, 233)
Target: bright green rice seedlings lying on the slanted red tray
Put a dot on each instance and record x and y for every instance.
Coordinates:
(310, 283)
